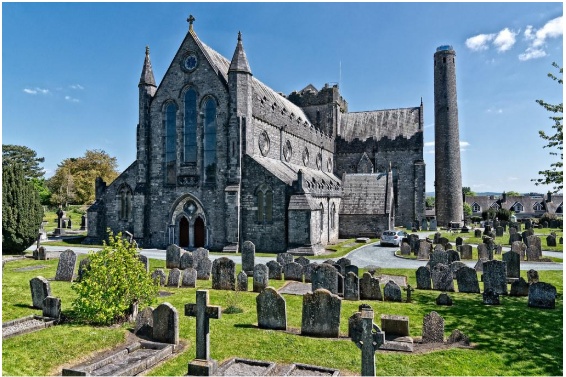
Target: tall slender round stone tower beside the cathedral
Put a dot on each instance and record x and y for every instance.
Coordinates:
(447, 165)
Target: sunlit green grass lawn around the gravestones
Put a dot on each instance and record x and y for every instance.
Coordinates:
(510, 339)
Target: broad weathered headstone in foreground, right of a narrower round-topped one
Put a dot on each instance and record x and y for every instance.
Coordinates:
(321, 314)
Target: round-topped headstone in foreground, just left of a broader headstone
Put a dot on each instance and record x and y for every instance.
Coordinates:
(271, 310)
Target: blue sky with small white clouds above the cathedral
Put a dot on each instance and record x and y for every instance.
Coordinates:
(70, 70)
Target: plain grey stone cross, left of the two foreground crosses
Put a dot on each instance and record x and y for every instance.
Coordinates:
(203, 312)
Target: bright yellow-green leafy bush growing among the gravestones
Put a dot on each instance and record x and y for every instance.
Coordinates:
(116, 279)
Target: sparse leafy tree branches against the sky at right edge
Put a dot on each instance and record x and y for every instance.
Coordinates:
(554, 175)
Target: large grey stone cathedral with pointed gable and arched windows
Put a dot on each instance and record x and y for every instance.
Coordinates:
(223, 159)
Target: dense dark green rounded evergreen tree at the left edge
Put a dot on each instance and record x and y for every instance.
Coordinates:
(21, 211)
